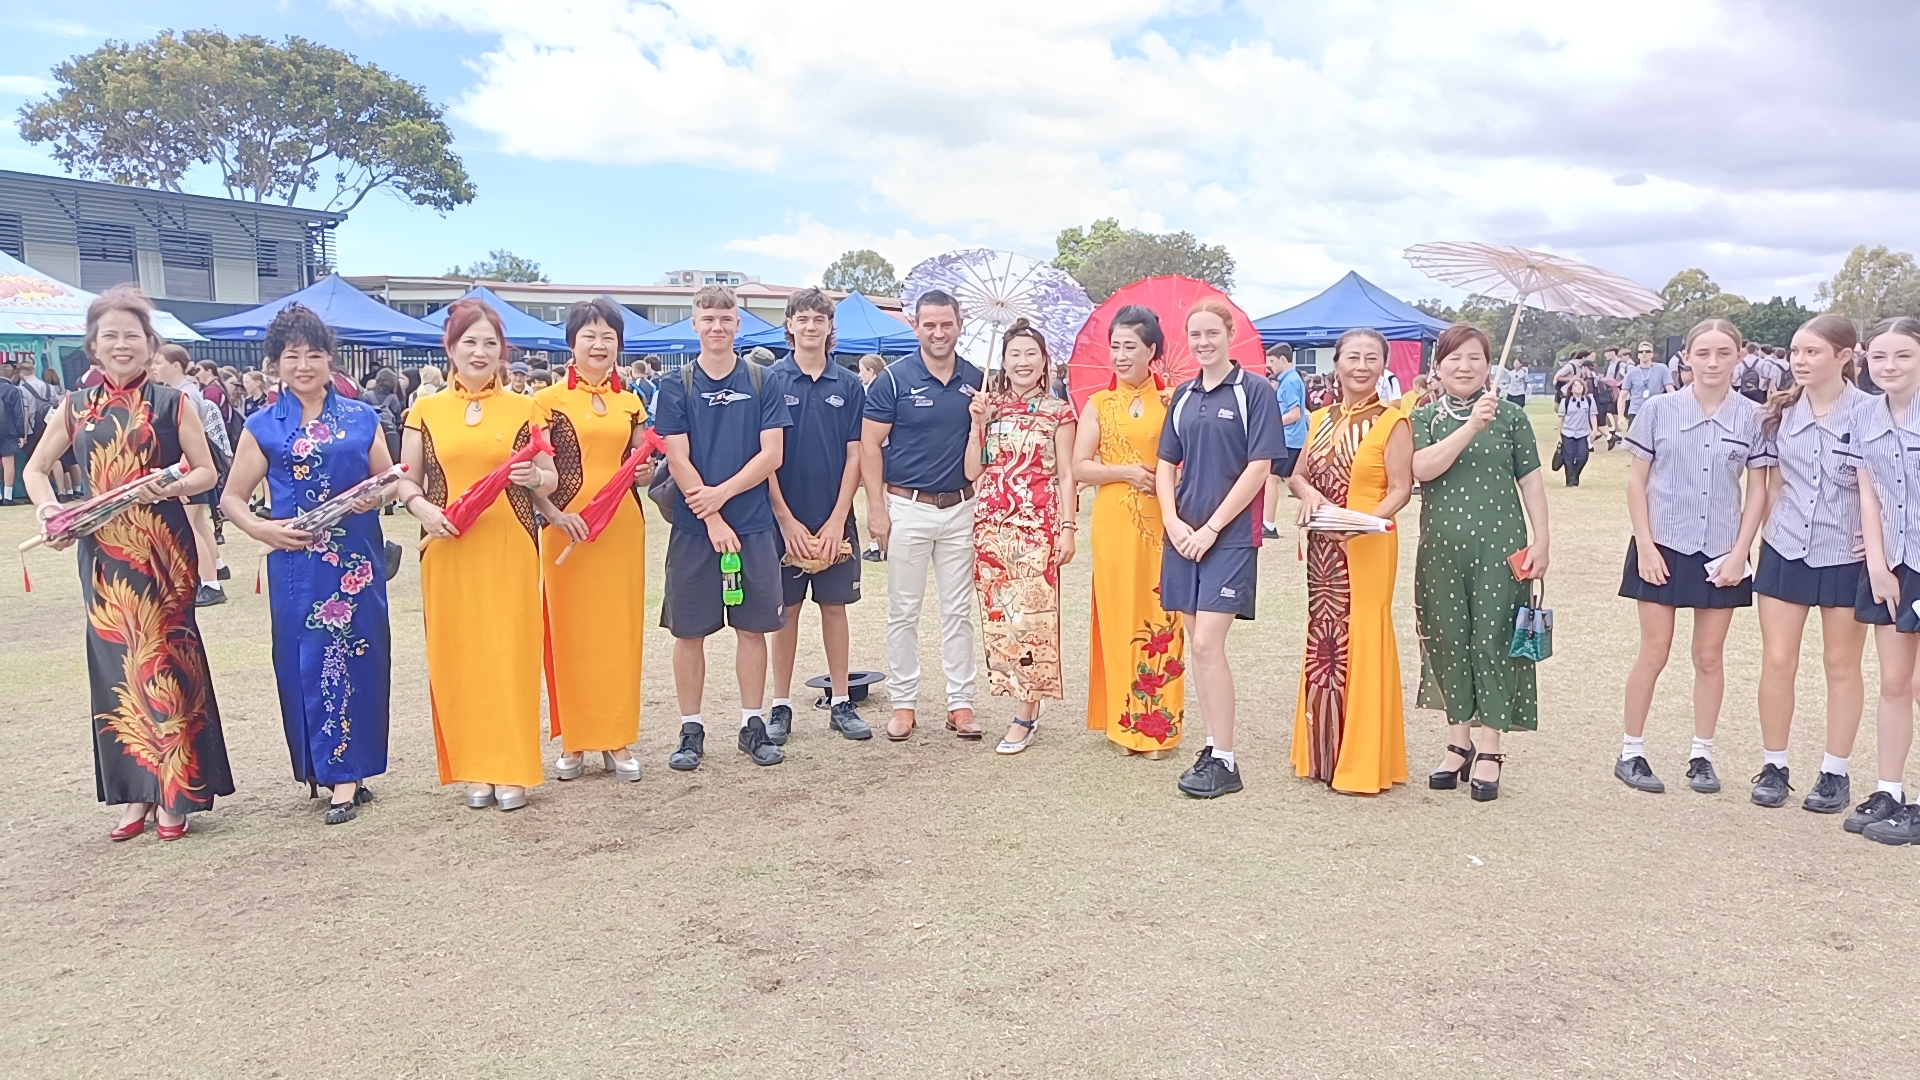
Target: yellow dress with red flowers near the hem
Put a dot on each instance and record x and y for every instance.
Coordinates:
(1138, 658)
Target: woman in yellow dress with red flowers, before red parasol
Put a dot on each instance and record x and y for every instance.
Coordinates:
(1116, 451)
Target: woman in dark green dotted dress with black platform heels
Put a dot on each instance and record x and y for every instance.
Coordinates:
(1479, 464)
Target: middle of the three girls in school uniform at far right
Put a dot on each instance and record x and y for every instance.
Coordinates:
(1810, 556)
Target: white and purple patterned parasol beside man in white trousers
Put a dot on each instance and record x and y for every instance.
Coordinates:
(996, 289)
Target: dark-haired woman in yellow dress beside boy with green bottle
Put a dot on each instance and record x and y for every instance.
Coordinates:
(598, 599)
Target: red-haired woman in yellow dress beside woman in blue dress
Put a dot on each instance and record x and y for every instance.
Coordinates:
(479, 585)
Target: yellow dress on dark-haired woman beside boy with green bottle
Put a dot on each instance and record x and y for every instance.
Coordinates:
(598, 599)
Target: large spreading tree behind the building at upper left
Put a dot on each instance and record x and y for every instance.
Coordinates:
(274, 120)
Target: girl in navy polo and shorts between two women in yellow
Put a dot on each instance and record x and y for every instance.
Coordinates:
(1216, 451)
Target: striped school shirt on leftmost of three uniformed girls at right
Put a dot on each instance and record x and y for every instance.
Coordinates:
(1694, 489)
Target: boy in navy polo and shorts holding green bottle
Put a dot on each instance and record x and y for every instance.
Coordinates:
(723, 443)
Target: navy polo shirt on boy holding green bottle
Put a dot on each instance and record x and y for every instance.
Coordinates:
(723, 426)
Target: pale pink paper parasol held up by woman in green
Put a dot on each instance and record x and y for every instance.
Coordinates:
(1533, 280)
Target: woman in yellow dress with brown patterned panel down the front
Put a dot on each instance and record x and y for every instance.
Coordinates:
(1351, 722)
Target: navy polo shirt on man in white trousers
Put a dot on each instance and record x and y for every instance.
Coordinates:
(930, 422)
